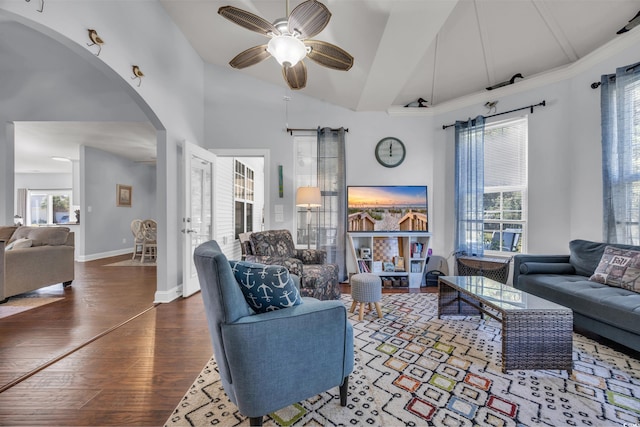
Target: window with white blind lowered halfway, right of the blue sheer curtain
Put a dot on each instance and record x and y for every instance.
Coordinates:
(505, 185)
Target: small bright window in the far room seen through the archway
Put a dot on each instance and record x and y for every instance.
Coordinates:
(49, 207)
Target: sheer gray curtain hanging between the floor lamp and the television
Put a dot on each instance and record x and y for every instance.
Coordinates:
(333, 184)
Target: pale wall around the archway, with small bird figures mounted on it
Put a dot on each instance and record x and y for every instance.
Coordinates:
(141, 33)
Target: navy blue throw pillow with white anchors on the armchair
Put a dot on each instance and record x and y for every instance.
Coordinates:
(266, 287)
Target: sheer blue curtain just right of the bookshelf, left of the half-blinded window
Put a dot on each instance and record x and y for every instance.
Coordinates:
(469, 187)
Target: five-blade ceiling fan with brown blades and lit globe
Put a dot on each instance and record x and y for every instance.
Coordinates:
(290, 41)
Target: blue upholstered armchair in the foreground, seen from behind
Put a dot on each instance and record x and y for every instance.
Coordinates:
(271, 360)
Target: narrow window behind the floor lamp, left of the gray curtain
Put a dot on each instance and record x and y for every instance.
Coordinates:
(306, 175)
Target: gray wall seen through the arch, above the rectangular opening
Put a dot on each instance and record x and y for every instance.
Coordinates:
(31, 90)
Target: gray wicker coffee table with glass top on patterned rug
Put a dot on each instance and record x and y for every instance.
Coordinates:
(536, 333)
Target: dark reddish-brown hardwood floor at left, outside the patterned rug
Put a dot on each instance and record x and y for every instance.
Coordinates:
(105, 355)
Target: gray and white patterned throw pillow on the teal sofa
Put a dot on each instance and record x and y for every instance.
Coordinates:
(619, 267)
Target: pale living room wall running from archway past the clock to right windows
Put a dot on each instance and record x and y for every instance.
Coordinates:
(240, 112)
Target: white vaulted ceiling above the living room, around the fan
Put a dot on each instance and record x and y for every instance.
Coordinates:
(439, 50)
